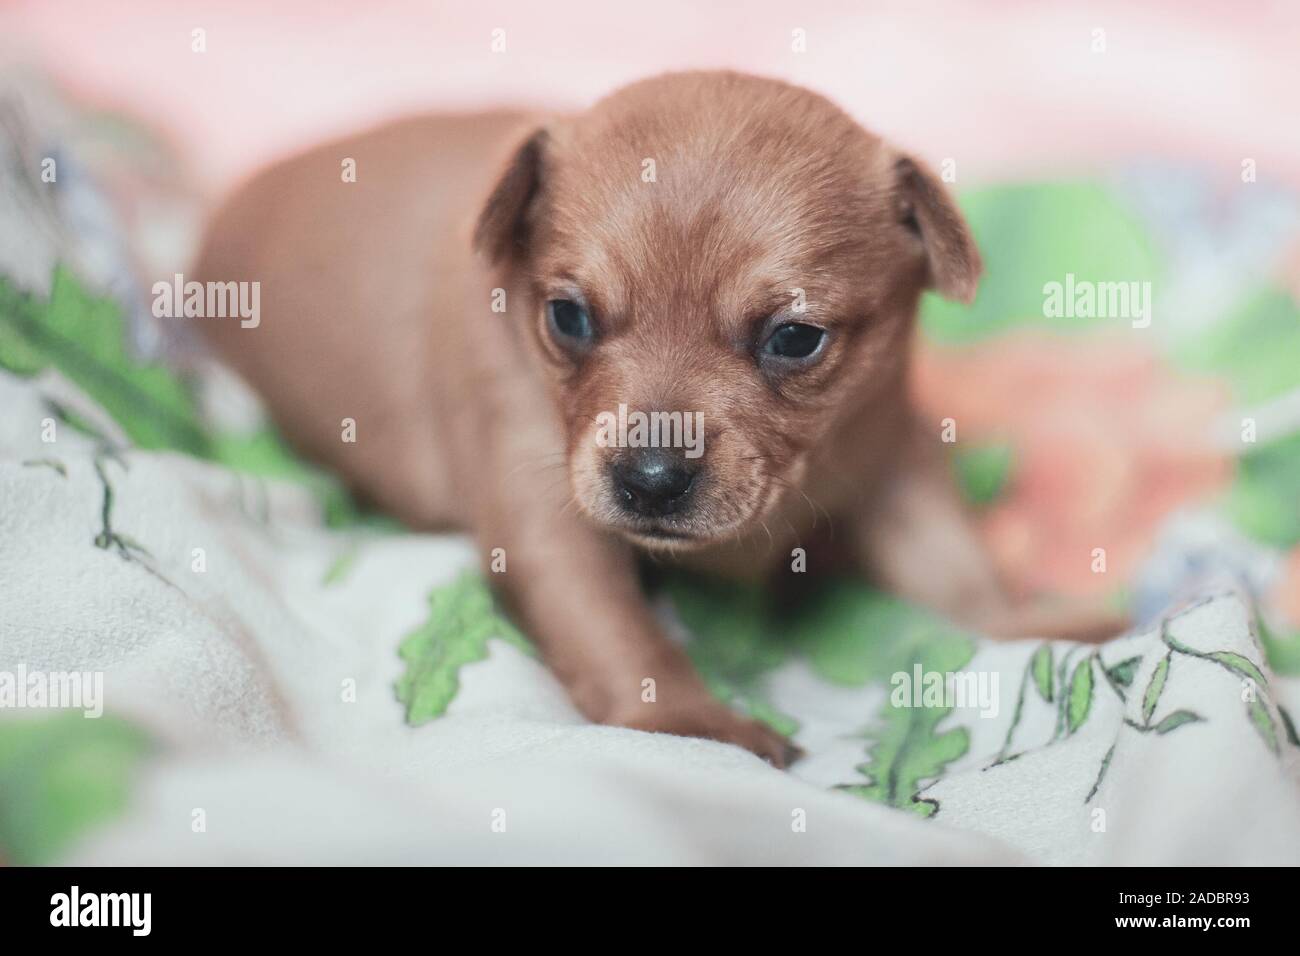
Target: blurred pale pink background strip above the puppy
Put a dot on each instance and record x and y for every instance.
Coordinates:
(1007, 89)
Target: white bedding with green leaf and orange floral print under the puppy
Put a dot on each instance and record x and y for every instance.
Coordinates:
(284, 678)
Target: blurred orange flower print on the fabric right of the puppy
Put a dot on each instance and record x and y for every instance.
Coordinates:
(1108, 443)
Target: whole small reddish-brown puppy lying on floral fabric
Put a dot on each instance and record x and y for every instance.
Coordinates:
(731, 249)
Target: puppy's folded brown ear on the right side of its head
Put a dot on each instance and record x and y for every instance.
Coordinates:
(929, 211)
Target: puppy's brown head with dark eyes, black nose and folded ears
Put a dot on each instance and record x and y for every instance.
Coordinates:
(722, 269)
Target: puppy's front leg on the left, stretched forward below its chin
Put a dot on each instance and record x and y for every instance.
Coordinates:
(577, 594)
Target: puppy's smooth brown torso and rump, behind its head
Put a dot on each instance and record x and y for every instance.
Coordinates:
(375, 309)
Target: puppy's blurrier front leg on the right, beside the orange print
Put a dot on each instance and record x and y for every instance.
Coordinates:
(917, 539)
